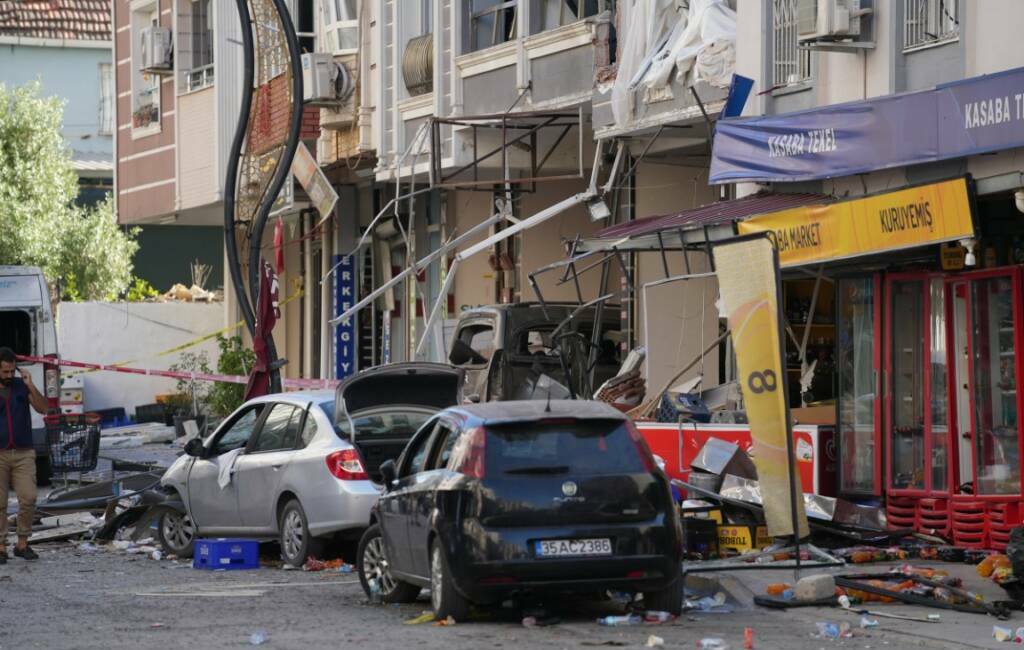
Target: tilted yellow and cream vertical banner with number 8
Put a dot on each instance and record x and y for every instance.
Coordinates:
(749, 284)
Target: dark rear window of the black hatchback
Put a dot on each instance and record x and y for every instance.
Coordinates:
(589, 447)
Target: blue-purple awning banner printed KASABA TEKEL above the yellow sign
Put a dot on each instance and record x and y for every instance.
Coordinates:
(974, 116)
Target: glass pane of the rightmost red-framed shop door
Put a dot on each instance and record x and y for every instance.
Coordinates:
(995, 387)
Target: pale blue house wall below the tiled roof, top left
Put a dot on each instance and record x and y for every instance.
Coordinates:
(72, 74)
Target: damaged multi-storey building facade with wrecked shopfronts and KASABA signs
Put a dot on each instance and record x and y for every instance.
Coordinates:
(513, 151)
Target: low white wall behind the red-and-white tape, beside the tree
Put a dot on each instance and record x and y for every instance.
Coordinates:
(133, 331)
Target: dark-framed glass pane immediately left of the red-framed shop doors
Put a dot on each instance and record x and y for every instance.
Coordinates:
(857, 359)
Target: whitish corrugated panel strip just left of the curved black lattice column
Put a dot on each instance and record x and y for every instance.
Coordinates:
(228, 59)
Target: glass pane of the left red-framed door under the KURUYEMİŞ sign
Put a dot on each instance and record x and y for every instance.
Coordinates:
(908, 385)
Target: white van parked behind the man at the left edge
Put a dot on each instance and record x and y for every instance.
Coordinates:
(27, 327)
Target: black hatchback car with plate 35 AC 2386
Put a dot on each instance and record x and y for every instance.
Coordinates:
(490, 501)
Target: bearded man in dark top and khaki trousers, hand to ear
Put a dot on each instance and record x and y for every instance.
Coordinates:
(18, 456)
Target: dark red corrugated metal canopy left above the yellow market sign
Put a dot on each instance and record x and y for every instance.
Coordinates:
(712, 214)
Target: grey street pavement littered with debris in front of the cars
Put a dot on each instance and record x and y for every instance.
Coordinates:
(104, 599)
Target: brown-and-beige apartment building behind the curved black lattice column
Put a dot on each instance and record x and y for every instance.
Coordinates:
(179, 84)
